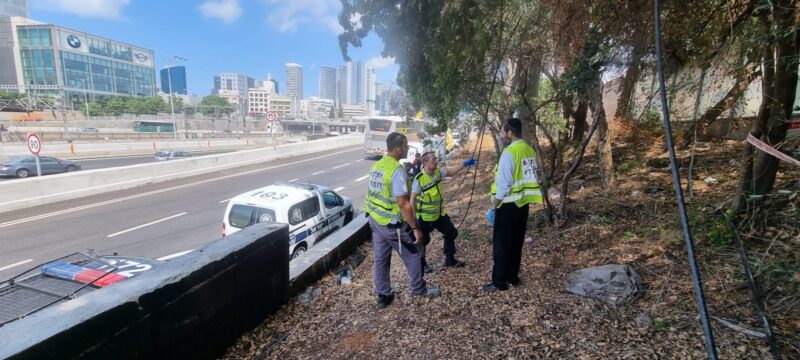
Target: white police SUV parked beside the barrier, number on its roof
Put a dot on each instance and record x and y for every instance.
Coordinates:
(312, 212)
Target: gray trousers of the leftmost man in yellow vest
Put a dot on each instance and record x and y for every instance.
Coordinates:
(384, 240)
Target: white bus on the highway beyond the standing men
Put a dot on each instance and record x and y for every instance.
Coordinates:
(378, 128)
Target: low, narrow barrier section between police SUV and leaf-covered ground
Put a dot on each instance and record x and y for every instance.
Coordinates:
(326, 256)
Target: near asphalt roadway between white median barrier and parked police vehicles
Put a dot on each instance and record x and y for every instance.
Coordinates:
(158, 221)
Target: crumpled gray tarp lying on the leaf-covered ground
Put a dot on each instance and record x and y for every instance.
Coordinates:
(612, 284)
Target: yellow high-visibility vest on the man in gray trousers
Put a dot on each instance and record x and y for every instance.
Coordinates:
(379, 202)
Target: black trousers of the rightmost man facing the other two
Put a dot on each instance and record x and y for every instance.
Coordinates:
(508, 236)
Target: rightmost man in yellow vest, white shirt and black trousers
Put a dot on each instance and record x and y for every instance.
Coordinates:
(515, 186)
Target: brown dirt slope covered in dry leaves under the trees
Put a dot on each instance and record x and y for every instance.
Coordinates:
(636, 223)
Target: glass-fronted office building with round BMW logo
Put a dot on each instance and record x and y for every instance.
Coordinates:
(34, 53)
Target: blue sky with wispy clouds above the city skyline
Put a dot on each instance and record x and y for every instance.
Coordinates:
(251, 37)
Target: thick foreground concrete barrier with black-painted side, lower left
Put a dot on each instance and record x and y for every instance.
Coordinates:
(192, 307)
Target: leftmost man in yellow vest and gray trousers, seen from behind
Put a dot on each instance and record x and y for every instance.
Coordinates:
(391, 218)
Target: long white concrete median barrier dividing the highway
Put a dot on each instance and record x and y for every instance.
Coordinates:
(41, 190)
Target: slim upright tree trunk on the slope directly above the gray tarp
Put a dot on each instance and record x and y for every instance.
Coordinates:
(595, 92)
